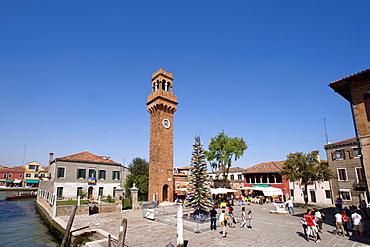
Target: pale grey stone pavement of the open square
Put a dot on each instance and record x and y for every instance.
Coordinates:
(269, 229)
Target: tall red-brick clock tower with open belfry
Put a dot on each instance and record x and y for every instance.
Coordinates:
(161, 106)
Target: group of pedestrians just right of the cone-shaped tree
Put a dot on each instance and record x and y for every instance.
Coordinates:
(229, 219)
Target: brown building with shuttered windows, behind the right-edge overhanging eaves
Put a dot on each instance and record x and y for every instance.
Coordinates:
(344, 160)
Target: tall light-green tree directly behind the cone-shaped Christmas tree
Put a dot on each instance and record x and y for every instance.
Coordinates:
(222, 151)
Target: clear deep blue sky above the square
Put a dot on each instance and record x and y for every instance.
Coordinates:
(75, 75)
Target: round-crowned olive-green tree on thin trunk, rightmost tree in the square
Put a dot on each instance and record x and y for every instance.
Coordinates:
(306, 169)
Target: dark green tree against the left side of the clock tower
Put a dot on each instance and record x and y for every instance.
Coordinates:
(138, 175)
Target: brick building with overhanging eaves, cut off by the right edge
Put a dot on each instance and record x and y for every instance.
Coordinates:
(356, 90)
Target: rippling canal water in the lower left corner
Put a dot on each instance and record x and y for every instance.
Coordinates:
(21, 225)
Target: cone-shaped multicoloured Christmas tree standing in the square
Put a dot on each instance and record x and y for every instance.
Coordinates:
(198, 195)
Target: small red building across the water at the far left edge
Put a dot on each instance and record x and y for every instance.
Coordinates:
(12, 177)
